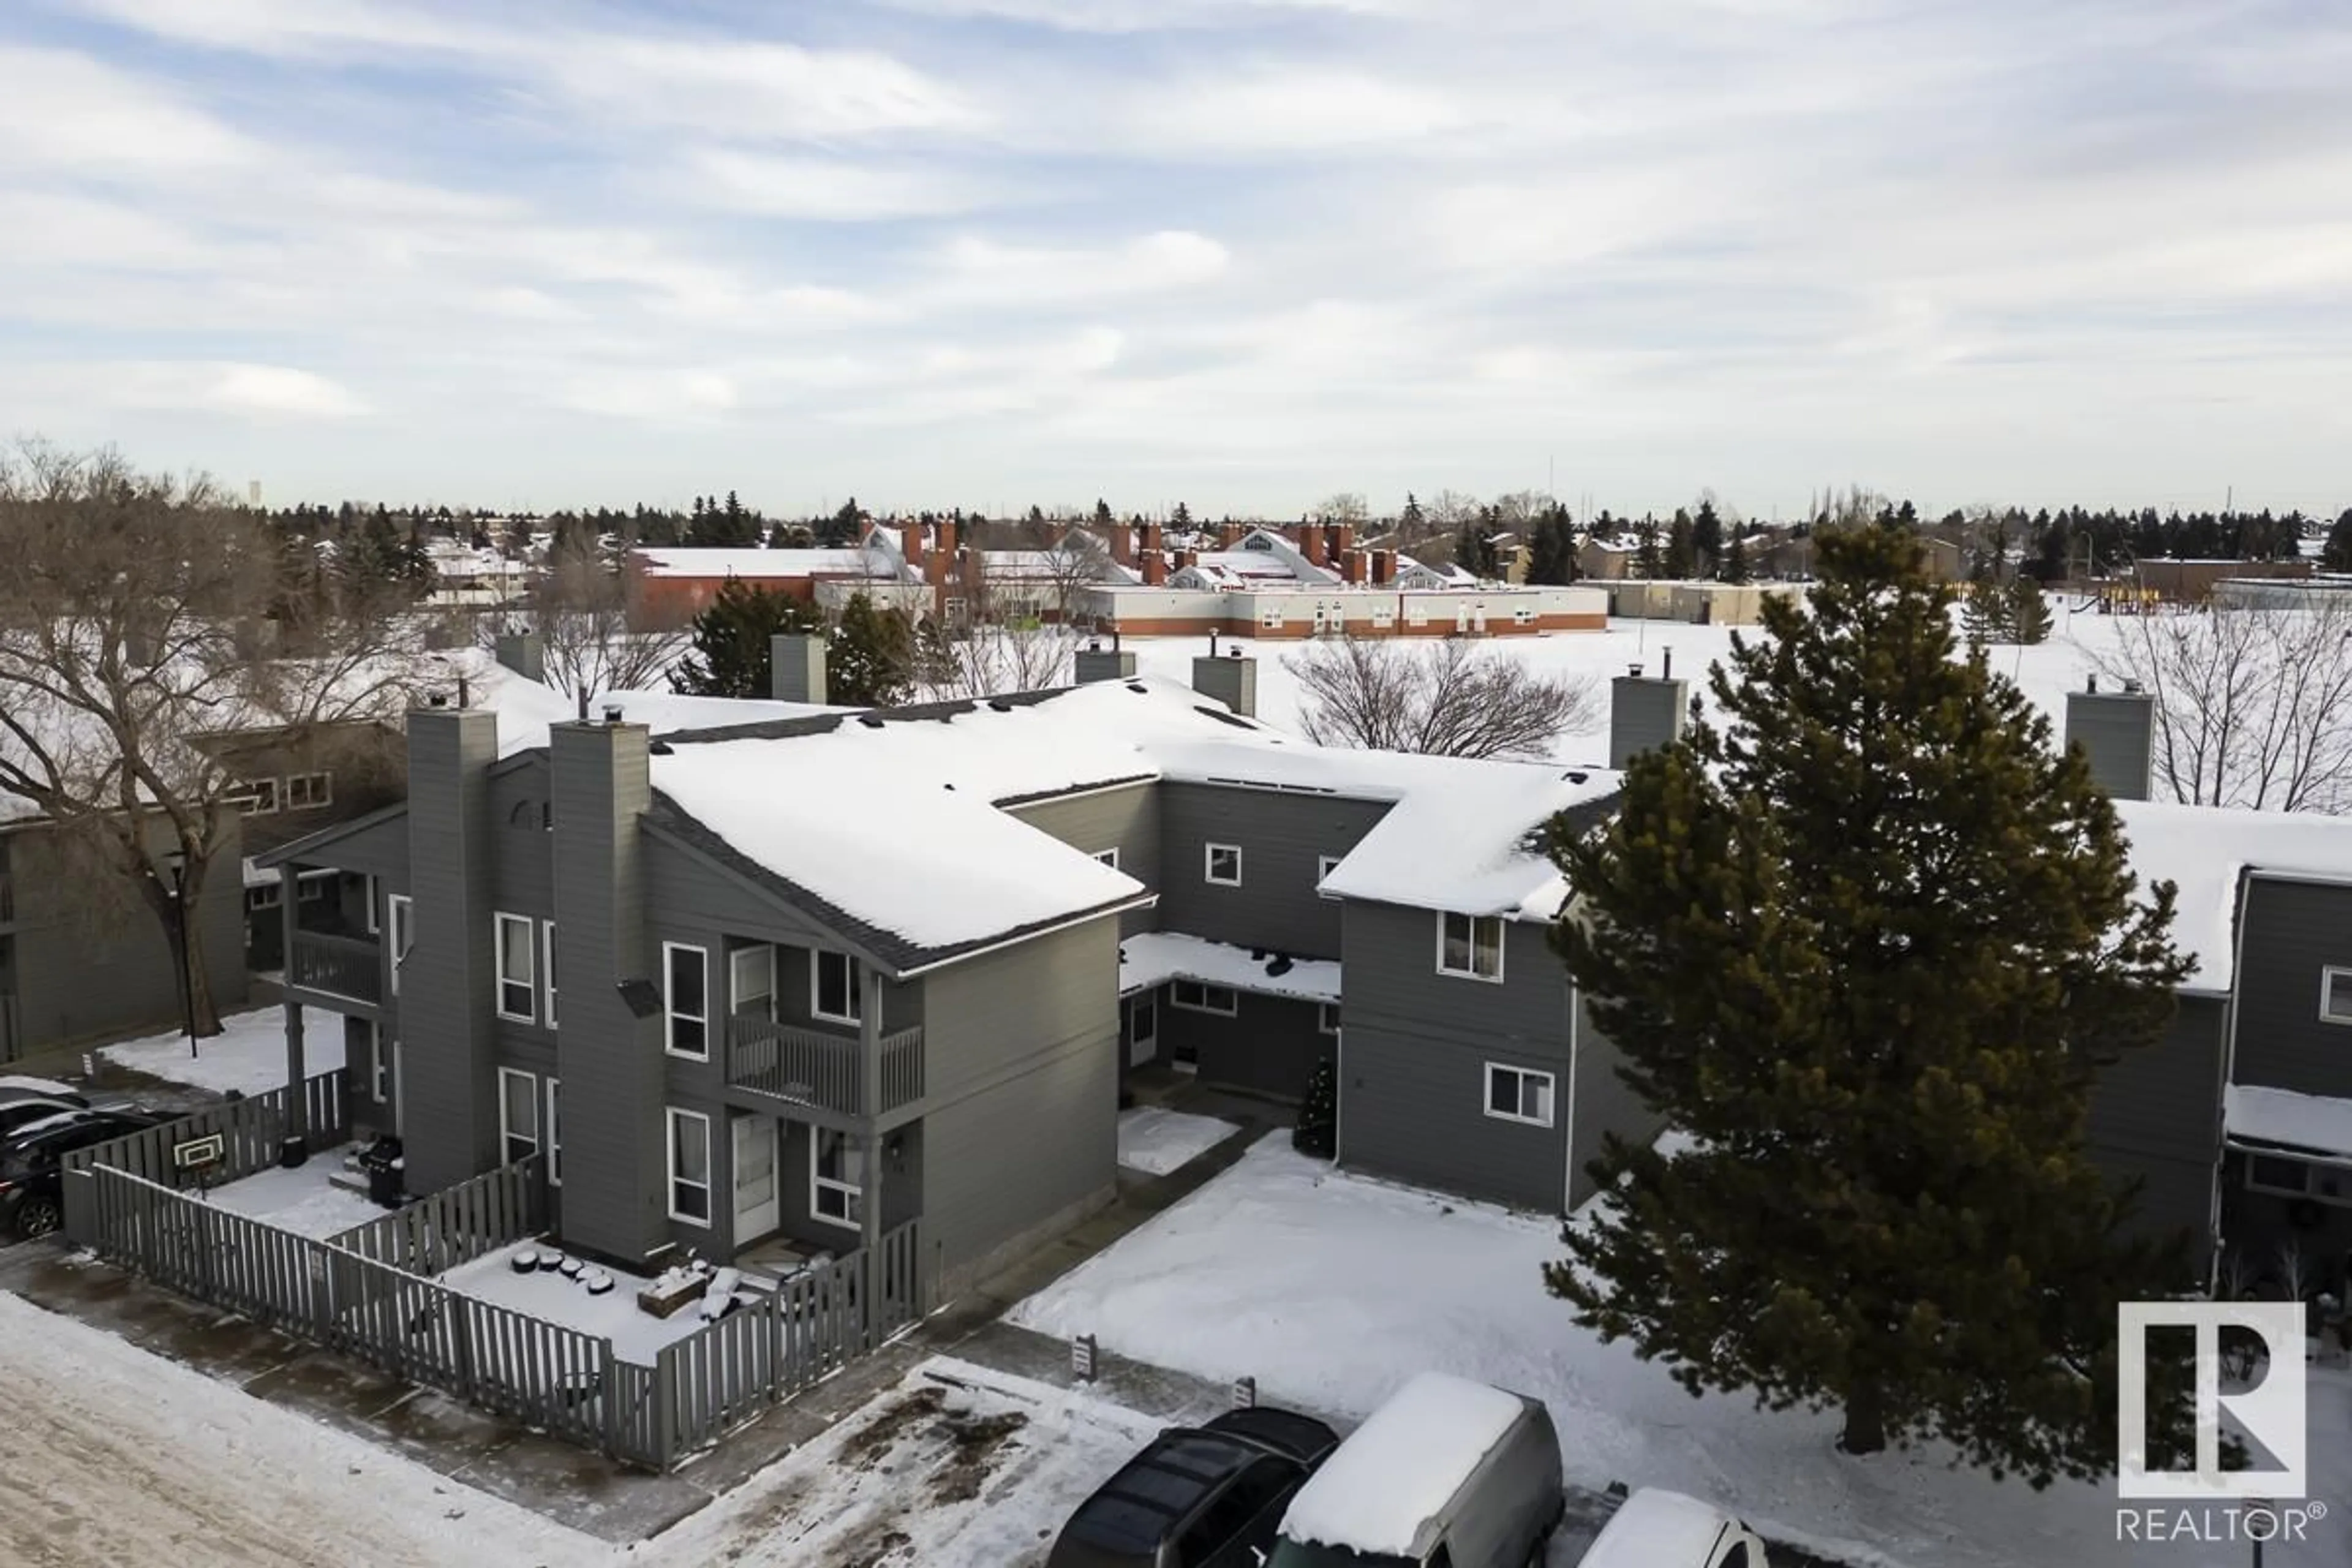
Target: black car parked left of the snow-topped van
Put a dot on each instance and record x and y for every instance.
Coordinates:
(1198, 1496)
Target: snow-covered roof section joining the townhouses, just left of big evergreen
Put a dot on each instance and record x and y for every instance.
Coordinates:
(1457, 836)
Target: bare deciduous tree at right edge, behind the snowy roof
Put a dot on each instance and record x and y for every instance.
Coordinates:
(2254, 706)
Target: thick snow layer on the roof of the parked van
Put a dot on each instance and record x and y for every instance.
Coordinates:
(1382, 1492)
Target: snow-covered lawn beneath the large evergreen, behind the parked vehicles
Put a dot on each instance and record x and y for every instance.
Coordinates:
(1335, 1289)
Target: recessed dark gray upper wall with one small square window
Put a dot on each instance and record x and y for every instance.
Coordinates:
(1281, 838)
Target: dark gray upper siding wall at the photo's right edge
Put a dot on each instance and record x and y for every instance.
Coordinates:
(2292, 932)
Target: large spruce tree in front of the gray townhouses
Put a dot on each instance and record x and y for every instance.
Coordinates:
(1866, 937)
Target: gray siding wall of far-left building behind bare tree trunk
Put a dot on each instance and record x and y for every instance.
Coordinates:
(88, 967)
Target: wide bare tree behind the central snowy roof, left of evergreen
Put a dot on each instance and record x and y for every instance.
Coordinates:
(1452, 699)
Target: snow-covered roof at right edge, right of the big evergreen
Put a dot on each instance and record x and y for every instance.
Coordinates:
(2210, 850)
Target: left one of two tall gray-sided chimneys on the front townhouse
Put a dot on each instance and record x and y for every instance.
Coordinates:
(448, 981)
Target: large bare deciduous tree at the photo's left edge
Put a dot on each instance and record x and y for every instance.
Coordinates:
(142, 622)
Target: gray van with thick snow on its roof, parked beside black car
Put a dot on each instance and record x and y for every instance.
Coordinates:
(1445, 1475)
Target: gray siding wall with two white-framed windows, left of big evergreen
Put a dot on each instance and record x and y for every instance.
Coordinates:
(1415, 1052)
